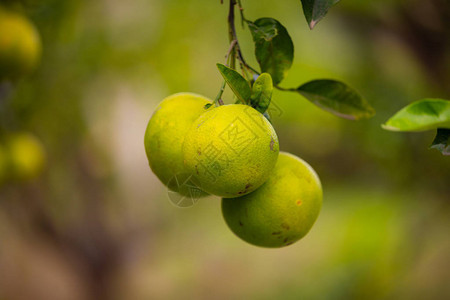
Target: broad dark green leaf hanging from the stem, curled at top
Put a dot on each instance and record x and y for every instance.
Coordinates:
(274, 49)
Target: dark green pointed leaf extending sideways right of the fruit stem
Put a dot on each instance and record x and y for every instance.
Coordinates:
(337, 98)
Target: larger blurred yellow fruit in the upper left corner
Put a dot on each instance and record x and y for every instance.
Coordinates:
(20, 45)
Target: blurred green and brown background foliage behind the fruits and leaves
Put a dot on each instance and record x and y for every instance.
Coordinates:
(97, 224)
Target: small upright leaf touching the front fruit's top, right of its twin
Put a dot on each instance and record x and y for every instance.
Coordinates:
(262, 92)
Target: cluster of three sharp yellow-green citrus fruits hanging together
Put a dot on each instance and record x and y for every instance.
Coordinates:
(269, 199)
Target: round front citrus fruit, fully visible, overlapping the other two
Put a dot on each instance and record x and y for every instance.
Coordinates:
(231, 150)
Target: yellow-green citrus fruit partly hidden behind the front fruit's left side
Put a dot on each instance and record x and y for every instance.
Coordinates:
(165, 135)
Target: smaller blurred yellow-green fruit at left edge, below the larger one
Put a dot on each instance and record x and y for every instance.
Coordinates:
(26, 156)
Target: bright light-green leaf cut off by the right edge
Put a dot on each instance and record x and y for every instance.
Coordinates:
(421, 115)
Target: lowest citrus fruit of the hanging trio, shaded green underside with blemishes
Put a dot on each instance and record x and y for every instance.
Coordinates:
(280, 212)
